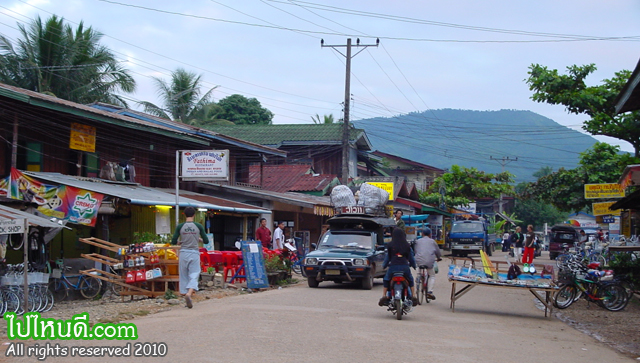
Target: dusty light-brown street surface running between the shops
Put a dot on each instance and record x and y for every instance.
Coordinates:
(341, 323)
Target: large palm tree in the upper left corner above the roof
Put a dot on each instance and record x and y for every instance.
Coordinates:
(55, 59)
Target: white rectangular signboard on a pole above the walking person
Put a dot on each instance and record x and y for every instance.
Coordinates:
(205, 164)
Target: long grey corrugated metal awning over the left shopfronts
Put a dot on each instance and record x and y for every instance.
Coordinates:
(135, 193)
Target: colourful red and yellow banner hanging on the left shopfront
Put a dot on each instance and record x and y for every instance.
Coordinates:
(60, 201)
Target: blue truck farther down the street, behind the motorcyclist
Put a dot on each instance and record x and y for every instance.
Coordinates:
(469, 237)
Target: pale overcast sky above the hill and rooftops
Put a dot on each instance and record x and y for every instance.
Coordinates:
(463, 54)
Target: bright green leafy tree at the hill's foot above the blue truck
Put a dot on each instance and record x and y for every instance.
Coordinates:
(462, 185)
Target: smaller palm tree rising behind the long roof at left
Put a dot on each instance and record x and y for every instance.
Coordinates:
(181, 97)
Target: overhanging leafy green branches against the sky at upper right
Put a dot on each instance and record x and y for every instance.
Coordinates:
(596, 102)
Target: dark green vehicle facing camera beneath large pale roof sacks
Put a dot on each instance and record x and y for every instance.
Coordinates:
(351, 250)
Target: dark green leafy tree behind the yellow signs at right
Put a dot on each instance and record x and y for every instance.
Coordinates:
(564, 189)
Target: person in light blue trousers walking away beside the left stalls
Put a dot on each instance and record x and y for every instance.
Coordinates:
(188, 235)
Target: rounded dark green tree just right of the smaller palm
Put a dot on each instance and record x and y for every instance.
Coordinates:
(244, 111)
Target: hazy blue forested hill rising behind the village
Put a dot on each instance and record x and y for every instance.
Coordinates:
(445, 137)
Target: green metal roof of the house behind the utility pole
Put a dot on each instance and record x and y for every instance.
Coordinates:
(295, 134)
